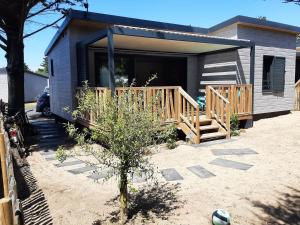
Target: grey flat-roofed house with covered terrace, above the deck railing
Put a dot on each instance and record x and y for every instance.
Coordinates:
(241, 50)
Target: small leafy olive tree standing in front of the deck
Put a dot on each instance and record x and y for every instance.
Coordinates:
(124, 127)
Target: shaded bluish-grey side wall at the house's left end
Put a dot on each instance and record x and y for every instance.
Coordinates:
(64, 82)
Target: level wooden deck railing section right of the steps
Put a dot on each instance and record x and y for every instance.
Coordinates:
(240, 98)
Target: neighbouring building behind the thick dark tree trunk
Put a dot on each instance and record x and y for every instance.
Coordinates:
(34, 85)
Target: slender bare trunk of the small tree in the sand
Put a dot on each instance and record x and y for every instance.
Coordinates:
(123, 198)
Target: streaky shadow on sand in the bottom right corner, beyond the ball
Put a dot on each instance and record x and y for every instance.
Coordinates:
(286, 211)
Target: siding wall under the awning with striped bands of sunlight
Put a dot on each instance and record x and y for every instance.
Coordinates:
(217, 69)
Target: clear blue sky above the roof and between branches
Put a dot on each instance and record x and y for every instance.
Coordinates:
(202, 13)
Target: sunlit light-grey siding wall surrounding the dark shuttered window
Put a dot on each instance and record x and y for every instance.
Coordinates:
(275, 44)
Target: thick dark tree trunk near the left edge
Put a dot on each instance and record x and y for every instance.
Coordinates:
(15, 71)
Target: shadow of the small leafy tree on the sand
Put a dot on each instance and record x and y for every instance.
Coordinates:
(150, 202)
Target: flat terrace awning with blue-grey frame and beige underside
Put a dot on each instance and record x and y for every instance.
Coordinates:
(134, 38)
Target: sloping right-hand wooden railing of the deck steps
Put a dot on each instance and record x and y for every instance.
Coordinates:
(218, 107)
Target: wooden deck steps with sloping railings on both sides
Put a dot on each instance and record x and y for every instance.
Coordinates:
(207, 127)
